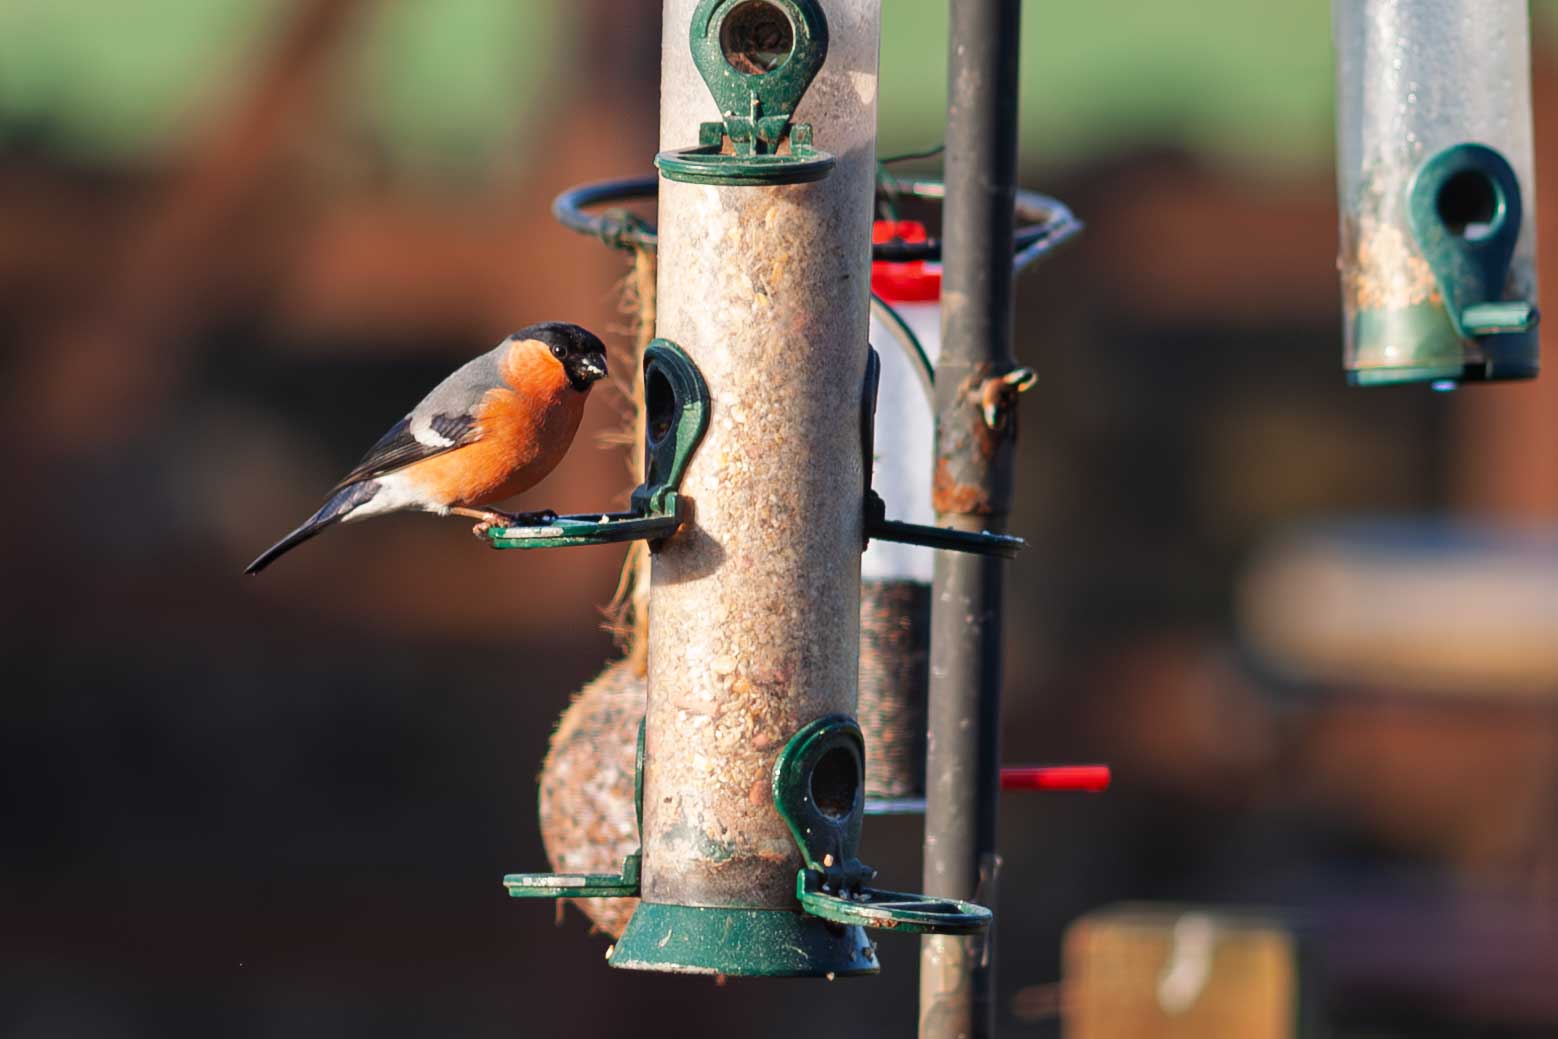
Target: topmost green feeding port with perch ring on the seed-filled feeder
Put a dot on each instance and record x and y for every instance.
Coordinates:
(758, 58)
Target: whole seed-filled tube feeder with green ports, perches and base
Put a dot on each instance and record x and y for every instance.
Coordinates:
(761, 396)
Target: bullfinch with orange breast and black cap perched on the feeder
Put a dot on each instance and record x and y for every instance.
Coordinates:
(496, 428)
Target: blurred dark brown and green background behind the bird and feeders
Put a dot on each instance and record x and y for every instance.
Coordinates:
(239, 239)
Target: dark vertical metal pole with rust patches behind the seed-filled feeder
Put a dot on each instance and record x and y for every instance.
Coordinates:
(971, 491)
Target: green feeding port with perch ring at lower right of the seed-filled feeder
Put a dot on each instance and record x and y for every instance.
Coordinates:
(820, 794)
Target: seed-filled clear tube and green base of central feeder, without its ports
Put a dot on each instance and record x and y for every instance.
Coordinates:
(756, 604)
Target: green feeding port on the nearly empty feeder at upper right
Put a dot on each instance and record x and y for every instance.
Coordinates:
(1465, 210)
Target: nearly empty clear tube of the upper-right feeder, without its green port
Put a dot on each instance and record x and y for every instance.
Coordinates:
(1417, 79)
